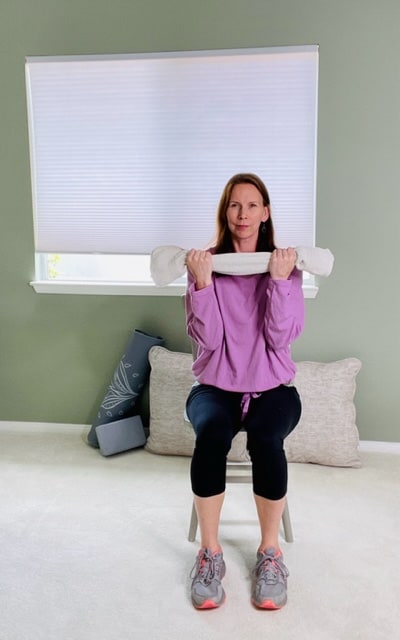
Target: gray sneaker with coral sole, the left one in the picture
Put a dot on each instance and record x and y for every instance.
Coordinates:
(207, 573)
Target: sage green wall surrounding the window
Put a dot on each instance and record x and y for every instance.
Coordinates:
(57, 352)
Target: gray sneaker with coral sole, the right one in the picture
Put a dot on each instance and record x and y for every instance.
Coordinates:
(269, 580)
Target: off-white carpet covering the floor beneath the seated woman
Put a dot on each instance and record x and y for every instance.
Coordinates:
(96, 548)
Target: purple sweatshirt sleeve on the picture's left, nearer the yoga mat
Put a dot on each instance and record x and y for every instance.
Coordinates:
(203, 317)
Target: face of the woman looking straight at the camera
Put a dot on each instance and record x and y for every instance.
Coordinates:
(244, 215)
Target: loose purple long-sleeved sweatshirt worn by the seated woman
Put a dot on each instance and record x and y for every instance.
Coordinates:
(244, 326)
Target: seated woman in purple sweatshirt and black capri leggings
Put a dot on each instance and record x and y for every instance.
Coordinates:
(243, 327)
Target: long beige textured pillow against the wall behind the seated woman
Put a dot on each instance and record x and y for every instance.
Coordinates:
(326, 434)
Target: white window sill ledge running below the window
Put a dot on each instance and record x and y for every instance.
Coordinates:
(123, 288)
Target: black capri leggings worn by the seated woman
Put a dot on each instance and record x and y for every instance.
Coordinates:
(216, 418)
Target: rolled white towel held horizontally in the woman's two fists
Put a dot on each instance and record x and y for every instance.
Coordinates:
(168, 263)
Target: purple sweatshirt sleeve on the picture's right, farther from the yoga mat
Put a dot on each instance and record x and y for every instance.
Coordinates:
(285, 310)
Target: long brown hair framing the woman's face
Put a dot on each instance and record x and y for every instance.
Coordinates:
(265, 240)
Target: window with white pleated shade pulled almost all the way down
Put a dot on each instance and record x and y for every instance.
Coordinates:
(129, 152)
